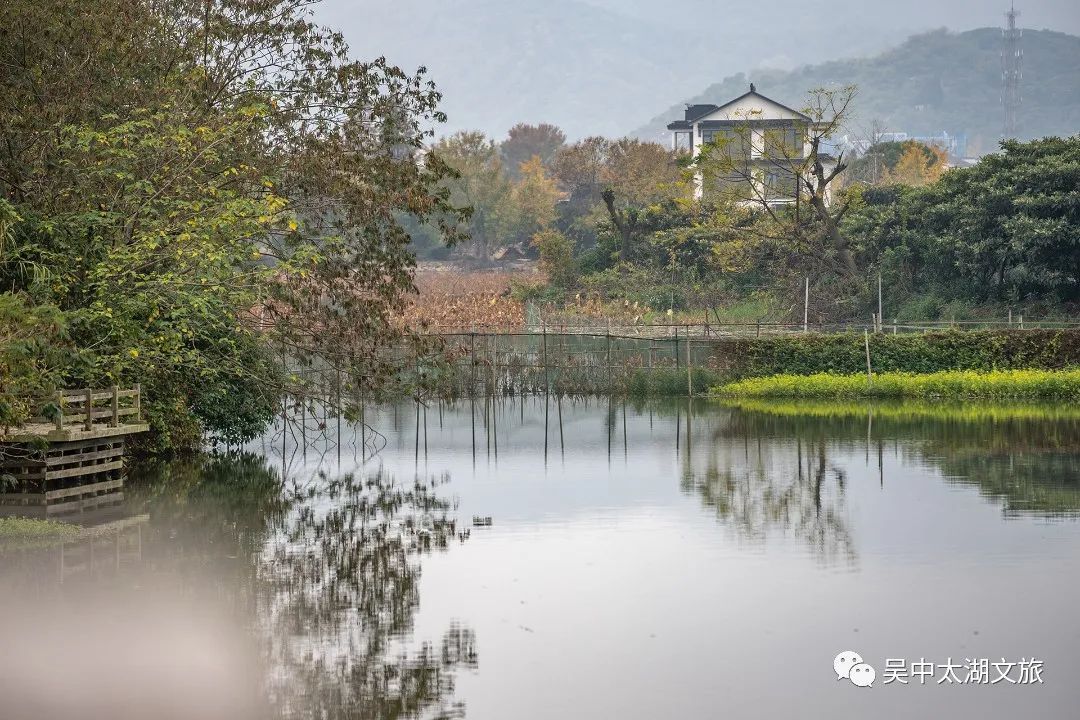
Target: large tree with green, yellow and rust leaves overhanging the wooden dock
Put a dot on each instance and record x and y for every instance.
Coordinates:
(212, 196)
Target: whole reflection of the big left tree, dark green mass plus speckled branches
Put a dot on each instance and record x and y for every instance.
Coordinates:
(330, 570)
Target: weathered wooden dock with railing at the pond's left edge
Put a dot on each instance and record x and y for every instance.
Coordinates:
(70, 459)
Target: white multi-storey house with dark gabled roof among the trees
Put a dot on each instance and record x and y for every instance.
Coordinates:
(765, 142)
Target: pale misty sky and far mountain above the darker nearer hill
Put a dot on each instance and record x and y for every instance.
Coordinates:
(602, 67)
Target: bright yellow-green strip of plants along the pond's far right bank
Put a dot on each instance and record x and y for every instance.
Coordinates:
(1047, 385)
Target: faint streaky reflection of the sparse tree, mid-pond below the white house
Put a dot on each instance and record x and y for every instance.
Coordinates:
(803, 496)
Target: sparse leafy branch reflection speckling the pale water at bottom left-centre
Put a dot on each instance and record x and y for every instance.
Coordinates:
(339, 592)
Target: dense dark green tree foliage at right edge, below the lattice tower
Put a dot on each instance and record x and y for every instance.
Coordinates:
(1006, 229)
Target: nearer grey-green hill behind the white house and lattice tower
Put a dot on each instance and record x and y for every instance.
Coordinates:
(934, 83)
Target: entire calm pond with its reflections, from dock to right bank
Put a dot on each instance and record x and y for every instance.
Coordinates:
(576, 559)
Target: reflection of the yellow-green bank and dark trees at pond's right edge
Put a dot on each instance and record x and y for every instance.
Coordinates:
(1028, 458)
